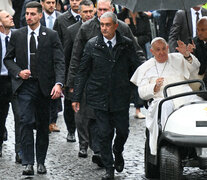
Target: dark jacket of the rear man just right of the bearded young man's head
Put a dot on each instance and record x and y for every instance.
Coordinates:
(62, 22)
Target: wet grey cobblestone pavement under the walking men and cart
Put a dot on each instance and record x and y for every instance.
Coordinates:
(63, 163)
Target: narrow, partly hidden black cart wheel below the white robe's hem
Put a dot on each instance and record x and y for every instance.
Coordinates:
(151, 170)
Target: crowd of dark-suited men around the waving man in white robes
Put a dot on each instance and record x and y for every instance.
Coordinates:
(87, 51)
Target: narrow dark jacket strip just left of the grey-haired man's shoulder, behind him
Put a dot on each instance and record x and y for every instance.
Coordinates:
(70, 35)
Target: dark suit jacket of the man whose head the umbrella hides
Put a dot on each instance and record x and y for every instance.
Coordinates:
(180, 29)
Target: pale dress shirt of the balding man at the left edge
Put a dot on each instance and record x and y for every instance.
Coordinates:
(3, 70)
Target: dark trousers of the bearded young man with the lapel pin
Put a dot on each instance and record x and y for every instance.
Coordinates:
(34, 109)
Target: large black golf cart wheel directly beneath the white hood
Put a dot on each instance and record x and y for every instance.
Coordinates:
(170, 163)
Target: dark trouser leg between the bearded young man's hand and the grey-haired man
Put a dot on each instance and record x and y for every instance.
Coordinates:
(69, 116)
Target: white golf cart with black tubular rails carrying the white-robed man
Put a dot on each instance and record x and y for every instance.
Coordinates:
(182, 142)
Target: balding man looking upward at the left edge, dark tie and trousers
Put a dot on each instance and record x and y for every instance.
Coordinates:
(6, 23)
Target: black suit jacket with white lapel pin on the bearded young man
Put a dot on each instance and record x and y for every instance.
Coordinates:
(50, 58)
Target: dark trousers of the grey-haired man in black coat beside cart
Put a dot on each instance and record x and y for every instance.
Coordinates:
(108, 122)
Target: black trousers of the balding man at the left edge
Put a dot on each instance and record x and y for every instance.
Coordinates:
(5, 98)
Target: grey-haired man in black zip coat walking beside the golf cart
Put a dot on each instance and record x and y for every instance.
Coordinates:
(105, 69)
